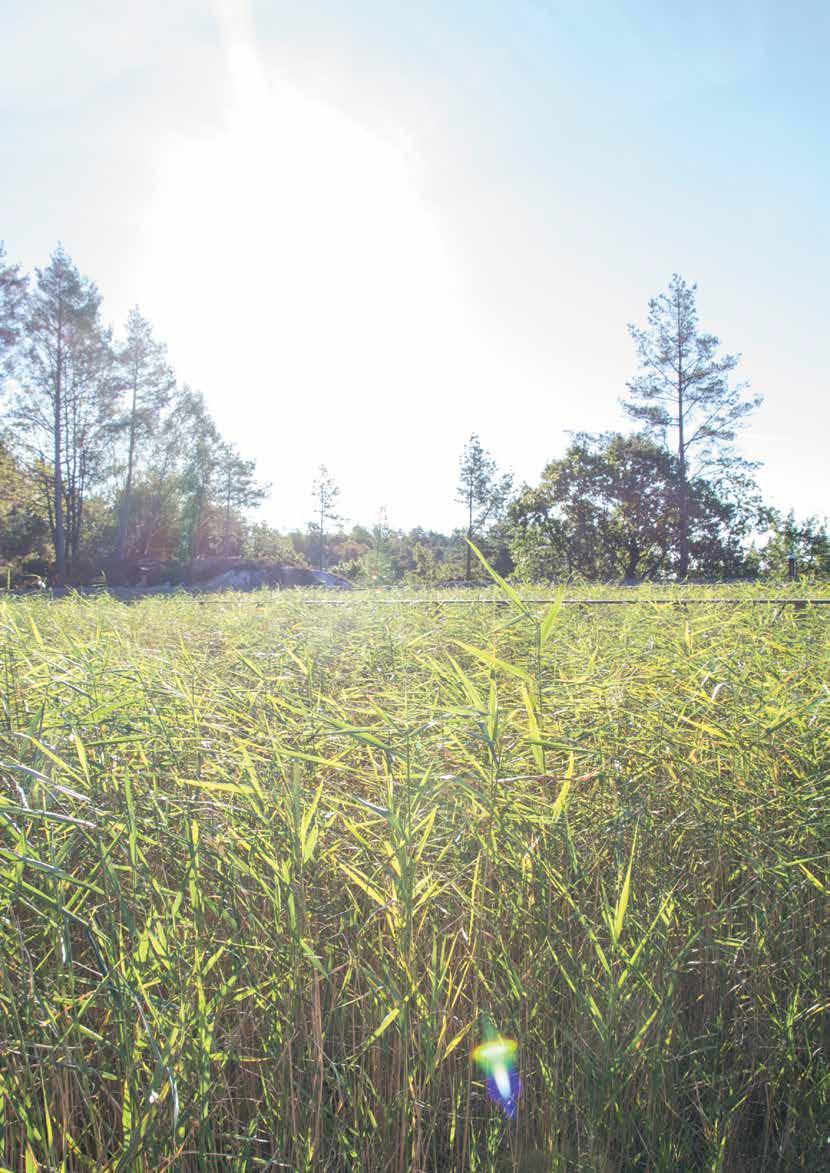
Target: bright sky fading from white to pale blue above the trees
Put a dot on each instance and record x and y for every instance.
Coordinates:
(368, 229)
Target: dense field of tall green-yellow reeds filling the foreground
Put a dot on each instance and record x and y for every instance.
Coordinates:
(268, 864)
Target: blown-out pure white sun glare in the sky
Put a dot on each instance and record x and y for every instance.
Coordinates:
(303, 257)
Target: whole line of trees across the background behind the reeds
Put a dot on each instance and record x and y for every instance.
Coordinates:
(106, 459)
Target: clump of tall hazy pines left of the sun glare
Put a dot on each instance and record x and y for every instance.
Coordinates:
(104, 455)
